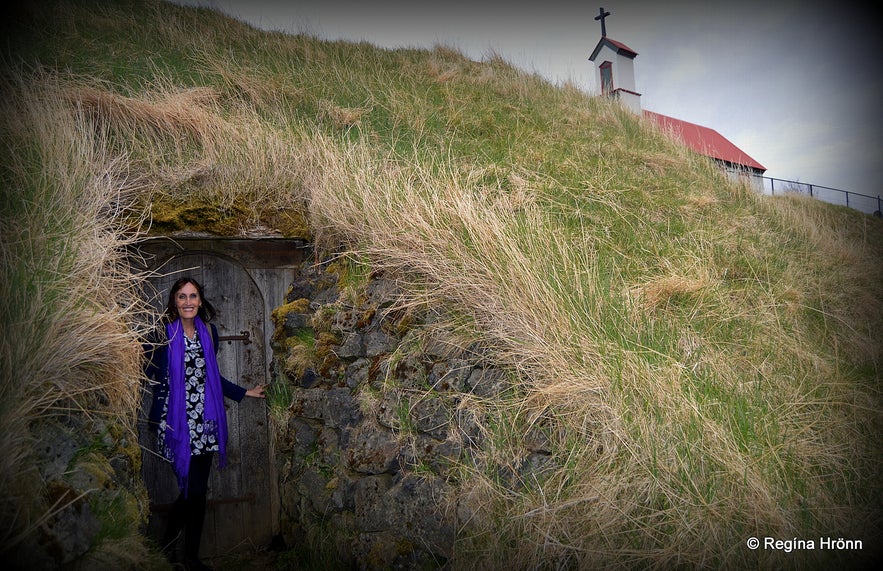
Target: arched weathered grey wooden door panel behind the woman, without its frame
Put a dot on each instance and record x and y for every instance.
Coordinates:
(238, 515)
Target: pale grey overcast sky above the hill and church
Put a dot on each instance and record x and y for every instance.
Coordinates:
(794, 83)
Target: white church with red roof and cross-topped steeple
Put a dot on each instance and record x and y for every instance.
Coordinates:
(615, 73)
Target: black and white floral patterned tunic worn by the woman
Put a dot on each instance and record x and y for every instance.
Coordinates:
(202, 441)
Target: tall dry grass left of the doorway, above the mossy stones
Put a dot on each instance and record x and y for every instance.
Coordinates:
(73, 314)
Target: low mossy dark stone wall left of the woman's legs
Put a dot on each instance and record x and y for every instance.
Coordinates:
(88, 485)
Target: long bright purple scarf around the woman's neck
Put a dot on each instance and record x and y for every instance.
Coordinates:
(177, 436)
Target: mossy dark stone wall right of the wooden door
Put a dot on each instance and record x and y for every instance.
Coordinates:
(370, 449)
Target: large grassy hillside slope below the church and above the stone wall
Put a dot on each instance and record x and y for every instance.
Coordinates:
(707, 362)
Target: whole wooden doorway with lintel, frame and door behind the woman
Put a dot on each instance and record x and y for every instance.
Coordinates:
(245, 280)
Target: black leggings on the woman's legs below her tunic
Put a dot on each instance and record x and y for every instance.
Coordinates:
(188, 512)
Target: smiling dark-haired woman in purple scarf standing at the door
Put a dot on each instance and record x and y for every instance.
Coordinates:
(188, 408)
